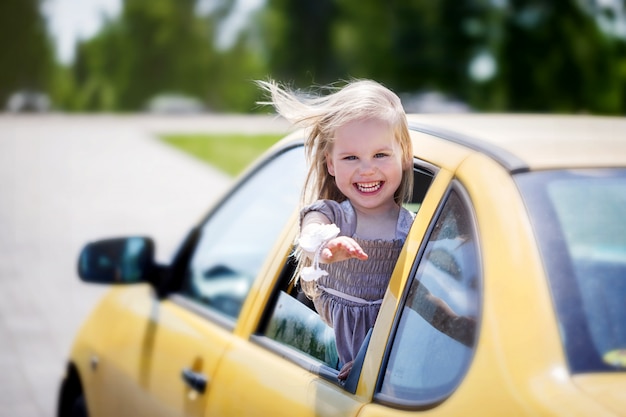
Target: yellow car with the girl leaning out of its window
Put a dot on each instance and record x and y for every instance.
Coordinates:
(520, 228)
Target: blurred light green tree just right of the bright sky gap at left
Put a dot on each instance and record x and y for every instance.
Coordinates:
(155, 46)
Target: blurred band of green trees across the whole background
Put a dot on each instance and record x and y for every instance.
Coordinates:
(494, 55)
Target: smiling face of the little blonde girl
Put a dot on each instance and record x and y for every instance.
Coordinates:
(366, 162)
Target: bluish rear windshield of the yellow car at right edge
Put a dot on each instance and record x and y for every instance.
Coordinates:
(579, 218)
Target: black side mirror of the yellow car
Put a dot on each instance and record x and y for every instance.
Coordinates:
(117, 261)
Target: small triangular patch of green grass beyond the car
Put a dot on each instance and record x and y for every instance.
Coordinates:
(230, 153)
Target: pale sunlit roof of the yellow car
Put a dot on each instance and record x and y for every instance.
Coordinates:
(533, 142)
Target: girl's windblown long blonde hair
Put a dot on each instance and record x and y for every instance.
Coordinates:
(322, 115)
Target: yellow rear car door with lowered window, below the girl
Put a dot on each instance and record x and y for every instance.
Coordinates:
(287, 363)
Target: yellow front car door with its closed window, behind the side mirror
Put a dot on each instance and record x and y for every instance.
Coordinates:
(213, 281)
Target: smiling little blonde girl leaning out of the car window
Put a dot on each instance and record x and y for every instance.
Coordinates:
(352, 224)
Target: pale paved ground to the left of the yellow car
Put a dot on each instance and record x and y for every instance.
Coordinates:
(65, 180)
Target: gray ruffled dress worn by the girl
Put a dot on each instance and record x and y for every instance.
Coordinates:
(348, 298)
